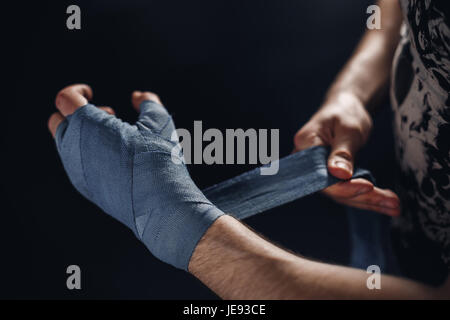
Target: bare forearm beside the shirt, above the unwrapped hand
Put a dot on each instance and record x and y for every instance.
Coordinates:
(366, 74)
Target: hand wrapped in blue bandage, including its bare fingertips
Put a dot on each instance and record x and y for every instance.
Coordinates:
(130, 173)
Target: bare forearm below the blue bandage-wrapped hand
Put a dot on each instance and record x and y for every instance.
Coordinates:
(236, 263)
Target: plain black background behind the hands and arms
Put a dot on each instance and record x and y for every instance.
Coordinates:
(231, 64)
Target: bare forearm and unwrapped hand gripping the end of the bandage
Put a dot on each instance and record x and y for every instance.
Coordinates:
(344, 122)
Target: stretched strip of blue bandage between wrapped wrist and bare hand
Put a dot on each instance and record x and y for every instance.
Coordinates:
(299, 175)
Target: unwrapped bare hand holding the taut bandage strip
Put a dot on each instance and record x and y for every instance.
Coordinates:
(344, 124)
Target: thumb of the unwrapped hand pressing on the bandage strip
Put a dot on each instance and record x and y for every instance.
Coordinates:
(343, 149)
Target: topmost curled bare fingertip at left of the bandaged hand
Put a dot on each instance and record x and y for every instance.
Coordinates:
(72, 97)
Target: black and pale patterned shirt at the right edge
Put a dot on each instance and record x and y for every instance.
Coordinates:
(421, 105)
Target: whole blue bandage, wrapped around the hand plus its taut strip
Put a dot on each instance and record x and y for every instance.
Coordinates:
(127, 170)
